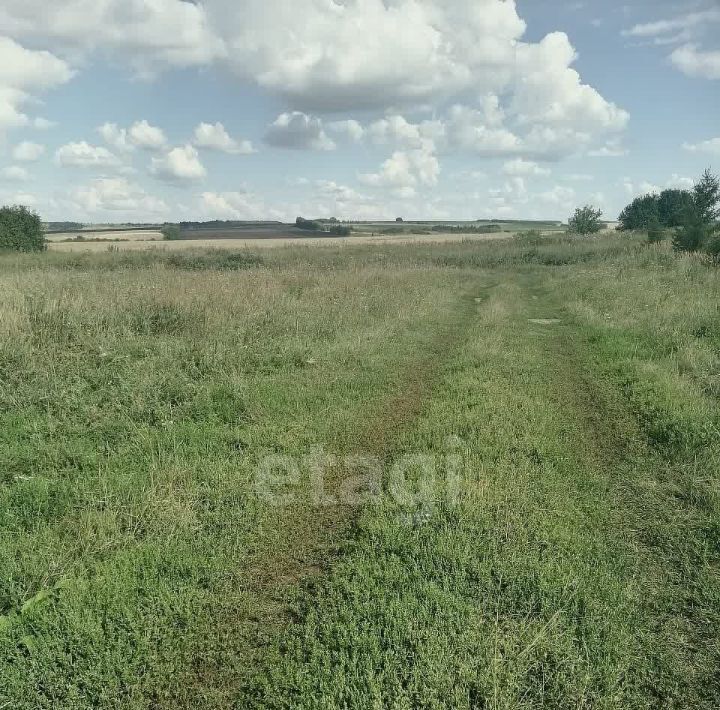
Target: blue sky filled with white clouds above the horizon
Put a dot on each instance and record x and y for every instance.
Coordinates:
(169, 110)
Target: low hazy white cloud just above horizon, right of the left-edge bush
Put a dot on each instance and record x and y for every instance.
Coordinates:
(116, 195)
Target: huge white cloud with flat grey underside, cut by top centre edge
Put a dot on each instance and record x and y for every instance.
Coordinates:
(371, 53)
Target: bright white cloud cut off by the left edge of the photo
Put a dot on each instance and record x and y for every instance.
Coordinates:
(23, 74)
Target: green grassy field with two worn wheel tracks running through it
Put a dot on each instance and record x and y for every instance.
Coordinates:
(464, 475)
